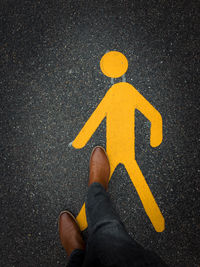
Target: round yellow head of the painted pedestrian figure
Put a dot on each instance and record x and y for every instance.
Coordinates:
(114, 64)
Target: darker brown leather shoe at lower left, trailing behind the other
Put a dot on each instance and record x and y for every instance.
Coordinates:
(70, 234)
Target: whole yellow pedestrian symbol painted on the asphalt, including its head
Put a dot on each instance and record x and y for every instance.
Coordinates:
(118, 106)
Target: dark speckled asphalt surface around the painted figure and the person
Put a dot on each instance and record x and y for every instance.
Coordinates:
(51, 83)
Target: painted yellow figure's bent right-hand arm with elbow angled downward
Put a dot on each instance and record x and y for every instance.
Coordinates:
(154, 117)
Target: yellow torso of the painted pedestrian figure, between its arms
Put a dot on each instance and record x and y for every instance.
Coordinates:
(121, 122)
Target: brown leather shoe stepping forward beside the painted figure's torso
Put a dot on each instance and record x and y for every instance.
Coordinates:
(99, 167)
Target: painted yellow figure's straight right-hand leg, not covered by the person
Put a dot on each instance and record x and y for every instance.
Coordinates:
(146, 196)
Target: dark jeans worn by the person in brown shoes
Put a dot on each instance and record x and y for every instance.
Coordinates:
(108, 243)
